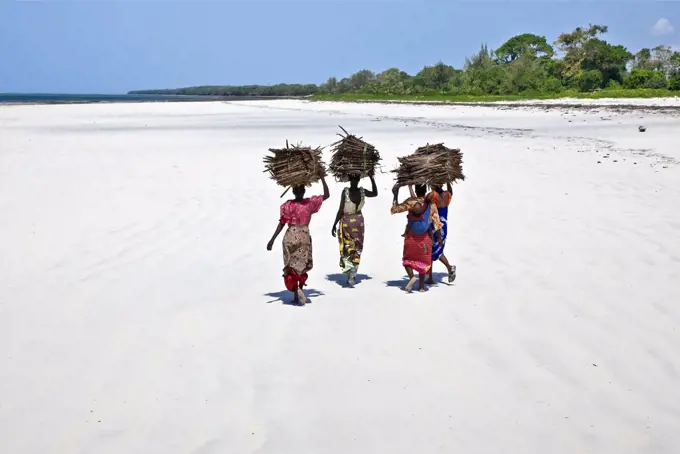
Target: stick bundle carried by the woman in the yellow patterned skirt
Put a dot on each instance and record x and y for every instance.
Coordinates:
(352, 157)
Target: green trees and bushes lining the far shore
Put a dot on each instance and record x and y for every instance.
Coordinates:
(526, 66)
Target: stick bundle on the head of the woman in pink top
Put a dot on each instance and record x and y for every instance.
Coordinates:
(295, 165)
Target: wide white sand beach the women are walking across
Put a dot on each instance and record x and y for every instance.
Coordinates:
(141, 313)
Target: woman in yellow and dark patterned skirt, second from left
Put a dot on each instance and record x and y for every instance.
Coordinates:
(351, 221)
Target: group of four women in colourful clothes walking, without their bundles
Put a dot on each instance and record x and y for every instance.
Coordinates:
(424, 238)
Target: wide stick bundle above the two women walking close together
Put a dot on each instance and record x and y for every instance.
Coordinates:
(430, 164)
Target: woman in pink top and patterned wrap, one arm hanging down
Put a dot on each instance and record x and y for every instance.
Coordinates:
(297, 242)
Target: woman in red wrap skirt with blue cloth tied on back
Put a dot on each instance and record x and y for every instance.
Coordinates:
(418, 237)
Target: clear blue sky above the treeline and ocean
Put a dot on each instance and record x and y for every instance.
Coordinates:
(115, 46)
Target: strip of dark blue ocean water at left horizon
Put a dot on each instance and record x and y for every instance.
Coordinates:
(59, 98)
